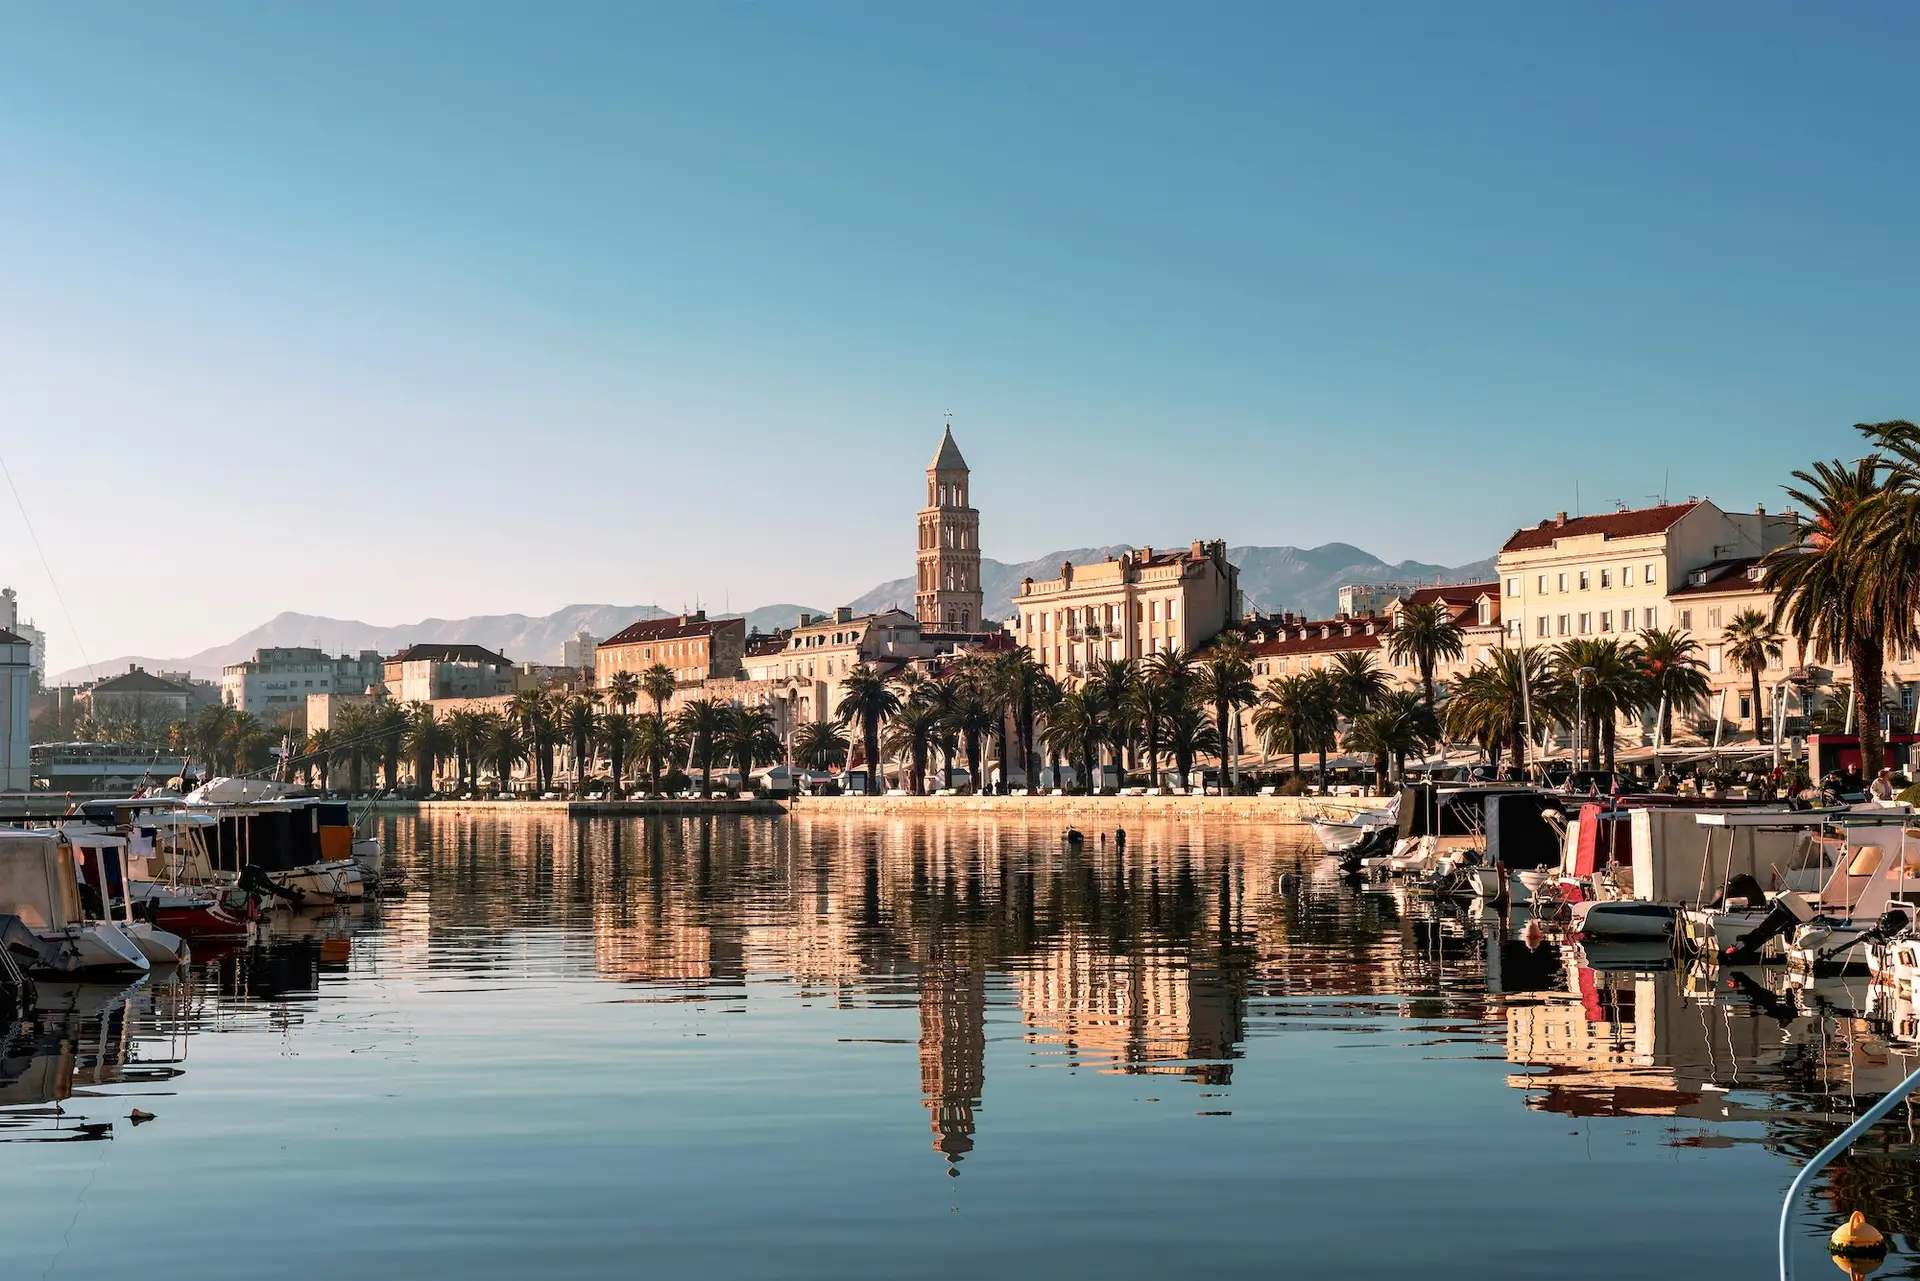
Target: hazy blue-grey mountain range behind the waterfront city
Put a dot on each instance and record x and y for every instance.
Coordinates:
(1272, 579)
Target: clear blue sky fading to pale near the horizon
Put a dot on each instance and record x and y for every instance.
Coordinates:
(425, 310)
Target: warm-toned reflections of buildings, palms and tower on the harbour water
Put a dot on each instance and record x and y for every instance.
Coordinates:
(1195, 954)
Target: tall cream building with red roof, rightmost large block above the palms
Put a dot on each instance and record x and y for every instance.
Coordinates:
(1610, 575)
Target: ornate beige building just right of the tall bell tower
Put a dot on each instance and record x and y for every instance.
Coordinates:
(1128, 608)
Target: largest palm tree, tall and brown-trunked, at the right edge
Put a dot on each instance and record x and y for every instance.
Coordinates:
(1838, 583)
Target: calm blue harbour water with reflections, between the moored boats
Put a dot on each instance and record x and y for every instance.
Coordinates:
(819, 1048)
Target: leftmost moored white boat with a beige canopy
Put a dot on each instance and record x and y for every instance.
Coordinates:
(41, 888)
